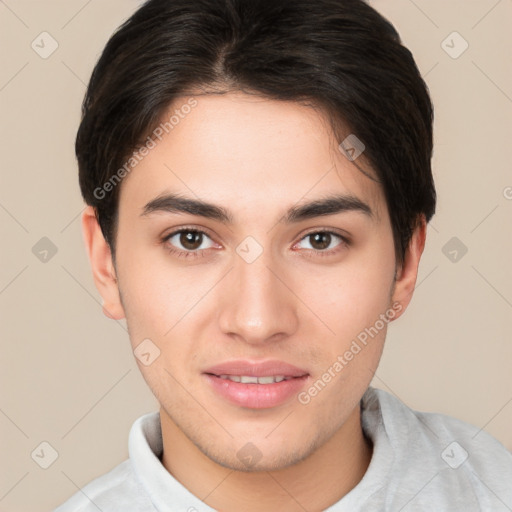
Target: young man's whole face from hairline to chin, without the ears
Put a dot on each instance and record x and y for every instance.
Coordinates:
(259, 287)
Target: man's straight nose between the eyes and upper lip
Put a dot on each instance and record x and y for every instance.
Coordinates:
(258, 305)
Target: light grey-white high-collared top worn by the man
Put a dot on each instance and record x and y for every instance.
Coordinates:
(420, 462)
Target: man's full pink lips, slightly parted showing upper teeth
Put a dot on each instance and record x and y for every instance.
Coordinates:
(256, 385)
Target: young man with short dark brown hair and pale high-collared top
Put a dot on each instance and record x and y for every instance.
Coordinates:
(258, 184)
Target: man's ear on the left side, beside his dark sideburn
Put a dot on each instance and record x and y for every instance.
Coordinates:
(103, 269)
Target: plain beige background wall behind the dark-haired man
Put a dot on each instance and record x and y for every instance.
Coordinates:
(67, 374)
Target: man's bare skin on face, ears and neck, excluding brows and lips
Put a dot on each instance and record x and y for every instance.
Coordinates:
(256, 158)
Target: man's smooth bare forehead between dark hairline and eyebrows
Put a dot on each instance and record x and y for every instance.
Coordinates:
(246, 152)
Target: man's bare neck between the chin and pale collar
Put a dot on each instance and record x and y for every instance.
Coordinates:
(313, 484)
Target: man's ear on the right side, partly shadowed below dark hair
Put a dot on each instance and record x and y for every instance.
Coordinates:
(407, 273)
